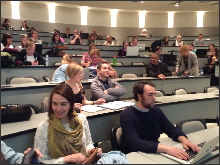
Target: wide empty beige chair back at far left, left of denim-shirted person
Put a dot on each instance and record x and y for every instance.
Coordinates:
(21, 80)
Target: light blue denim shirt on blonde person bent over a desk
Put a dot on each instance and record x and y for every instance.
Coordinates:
(59, 73)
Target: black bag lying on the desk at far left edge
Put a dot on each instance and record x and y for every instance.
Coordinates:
(11, 114)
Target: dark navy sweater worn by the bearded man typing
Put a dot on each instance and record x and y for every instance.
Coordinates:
(141, 130)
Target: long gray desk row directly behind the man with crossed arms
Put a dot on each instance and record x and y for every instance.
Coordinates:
(34, 93)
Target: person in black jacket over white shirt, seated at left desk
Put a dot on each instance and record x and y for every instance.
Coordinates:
(29, 56)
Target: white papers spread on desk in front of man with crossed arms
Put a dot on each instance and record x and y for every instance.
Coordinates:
(116, 105)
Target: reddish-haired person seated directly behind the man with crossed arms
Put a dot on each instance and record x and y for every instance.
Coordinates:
(96, 59)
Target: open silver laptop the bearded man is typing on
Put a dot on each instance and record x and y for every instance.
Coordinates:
(206, 148)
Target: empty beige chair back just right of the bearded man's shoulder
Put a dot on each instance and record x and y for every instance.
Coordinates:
(191, 125)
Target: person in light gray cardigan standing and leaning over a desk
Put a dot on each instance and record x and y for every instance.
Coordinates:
(187, 63)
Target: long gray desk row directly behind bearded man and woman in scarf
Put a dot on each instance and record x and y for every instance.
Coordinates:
(178, 107)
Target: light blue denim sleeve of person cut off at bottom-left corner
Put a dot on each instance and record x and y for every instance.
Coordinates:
(10, 155)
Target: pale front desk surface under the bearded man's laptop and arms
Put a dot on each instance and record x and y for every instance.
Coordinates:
(195, 137)
